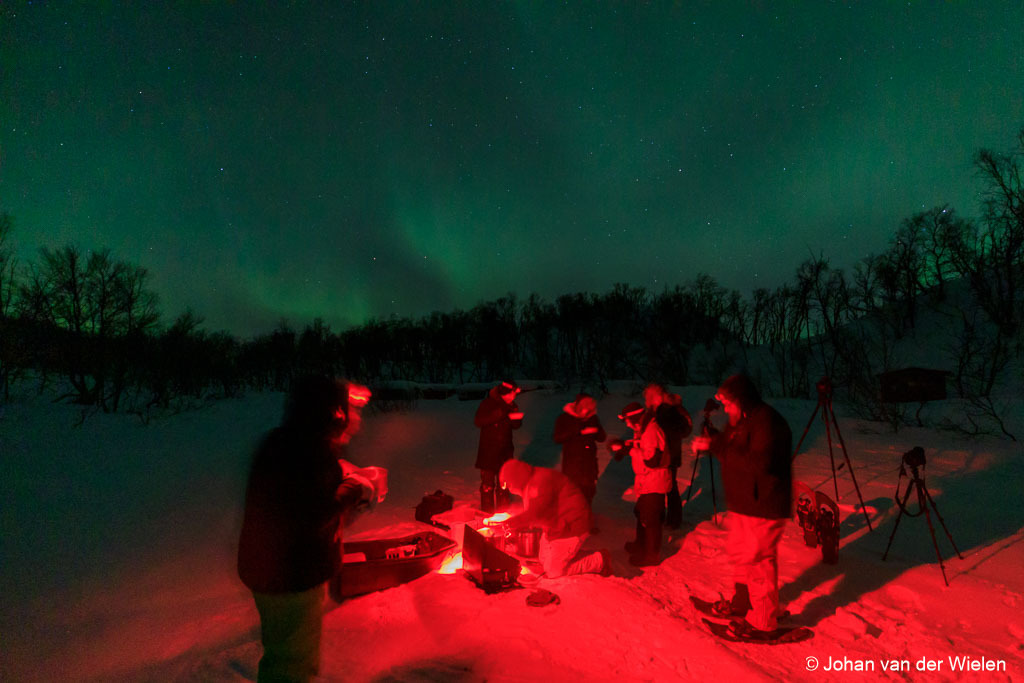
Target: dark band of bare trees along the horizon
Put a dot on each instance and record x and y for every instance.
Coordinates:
(90, 324)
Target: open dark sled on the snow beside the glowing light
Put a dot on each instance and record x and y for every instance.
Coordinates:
(382, 564)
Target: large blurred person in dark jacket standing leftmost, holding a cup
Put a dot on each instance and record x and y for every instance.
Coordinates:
(297, 498)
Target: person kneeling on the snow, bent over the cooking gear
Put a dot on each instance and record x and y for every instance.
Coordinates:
(557, 506)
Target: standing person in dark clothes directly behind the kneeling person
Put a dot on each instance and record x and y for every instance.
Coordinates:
(497, 417)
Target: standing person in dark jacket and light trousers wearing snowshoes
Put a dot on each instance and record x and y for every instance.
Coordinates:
(756, 452)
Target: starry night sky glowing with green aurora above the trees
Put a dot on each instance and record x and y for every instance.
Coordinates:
(269, 161)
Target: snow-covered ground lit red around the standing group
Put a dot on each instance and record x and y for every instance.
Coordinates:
(118, 560)
